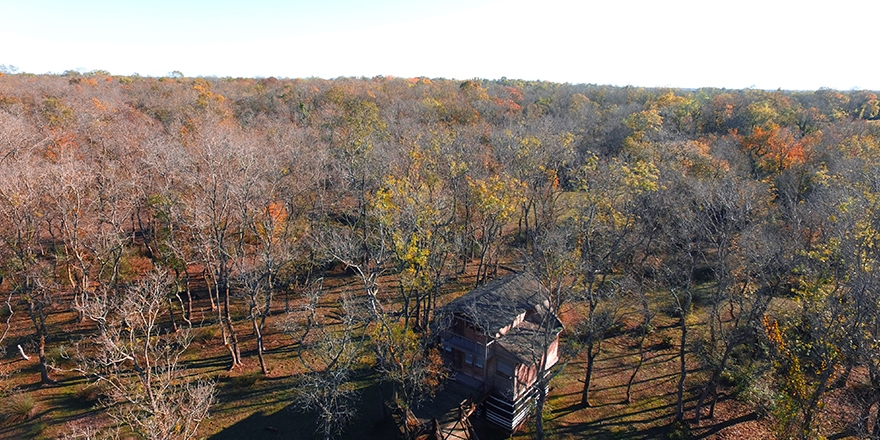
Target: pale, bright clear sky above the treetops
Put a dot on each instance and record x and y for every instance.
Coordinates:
(763, 44)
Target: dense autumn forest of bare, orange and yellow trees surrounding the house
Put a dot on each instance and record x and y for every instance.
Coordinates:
(147, 223)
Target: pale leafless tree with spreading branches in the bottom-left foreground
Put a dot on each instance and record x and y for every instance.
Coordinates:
(138, 367)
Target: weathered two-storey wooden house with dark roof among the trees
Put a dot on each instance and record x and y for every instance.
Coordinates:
(499, 338)
